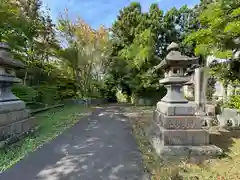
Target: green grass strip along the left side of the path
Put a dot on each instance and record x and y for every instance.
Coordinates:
(51, 123)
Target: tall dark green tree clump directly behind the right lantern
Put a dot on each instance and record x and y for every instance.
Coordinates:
(139, 42)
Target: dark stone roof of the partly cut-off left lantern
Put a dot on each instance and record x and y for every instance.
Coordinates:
(6, 58)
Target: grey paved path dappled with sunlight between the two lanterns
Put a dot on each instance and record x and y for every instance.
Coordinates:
(99, 147)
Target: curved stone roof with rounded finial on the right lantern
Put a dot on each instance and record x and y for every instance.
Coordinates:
(175, 58)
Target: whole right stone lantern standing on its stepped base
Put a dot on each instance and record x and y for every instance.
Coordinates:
(176, 129)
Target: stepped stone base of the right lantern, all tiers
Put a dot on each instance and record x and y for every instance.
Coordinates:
(179, 133)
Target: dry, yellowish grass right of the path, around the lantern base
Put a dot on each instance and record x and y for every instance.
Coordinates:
(223, 168)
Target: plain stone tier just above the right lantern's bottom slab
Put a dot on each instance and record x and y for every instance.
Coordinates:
(182, 136)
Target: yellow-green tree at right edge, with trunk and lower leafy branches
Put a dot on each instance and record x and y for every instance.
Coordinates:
(218, 30)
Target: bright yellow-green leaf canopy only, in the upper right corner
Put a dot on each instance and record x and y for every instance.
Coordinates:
(219, 22)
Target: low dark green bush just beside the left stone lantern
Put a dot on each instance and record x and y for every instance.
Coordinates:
(25, 93)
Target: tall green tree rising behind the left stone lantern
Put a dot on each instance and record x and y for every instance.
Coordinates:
(31, 36)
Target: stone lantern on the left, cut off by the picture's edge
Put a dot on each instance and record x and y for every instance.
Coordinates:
(14, 117)
